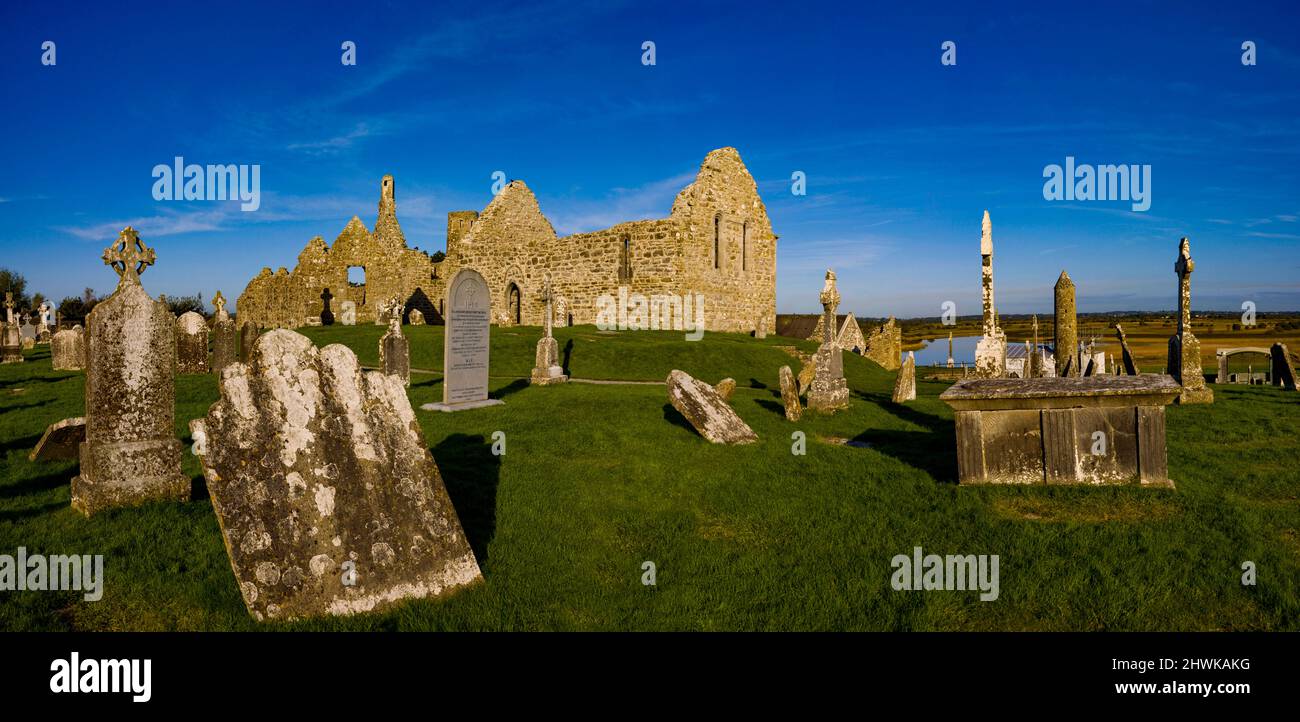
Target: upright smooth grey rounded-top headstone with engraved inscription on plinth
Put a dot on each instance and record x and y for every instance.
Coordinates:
(466, 345)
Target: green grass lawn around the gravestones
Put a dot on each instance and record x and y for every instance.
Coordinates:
(599, 479)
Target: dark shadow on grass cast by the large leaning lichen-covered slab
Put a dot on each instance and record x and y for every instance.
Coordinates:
(471, 473)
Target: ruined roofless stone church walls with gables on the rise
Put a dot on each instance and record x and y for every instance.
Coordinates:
(514, 247)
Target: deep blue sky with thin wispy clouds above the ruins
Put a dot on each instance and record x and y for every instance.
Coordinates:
(902, 154)
